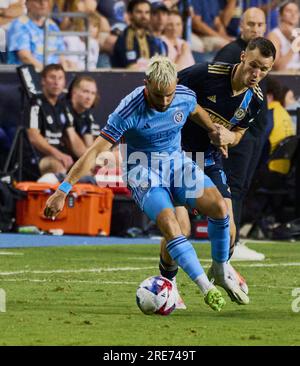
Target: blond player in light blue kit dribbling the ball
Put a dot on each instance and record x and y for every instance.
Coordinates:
(159, 174)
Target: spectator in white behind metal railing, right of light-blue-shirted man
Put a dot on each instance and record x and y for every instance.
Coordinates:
(76, 43)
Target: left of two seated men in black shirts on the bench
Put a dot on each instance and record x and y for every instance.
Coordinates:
(49, 128)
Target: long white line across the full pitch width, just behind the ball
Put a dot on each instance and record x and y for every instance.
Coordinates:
(98, 270)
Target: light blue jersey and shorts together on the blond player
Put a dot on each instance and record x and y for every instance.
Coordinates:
(158, 136)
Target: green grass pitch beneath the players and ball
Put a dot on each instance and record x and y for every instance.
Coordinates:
(98, 308)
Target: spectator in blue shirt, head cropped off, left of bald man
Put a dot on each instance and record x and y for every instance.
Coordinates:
(208, 29)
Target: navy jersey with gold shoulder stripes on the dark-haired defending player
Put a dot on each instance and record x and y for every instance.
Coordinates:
(212, 84)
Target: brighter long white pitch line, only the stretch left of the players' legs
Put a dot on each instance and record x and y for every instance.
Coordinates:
(82, 270)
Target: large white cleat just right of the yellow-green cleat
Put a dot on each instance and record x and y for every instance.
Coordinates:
(229, 283)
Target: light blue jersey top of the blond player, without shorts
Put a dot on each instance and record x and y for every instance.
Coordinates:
(146, 130)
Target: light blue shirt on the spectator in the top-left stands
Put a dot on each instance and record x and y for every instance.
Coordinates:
(24, 34)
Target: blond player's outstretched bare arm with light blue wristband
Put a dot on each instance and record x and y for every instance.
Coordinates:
(83, 166)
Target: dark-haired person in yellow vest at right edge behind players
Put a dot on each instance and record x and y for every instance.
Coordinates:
(279, 127)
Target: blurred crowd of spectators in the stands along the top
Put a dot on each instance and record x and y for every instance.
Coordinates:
(126, 33)
